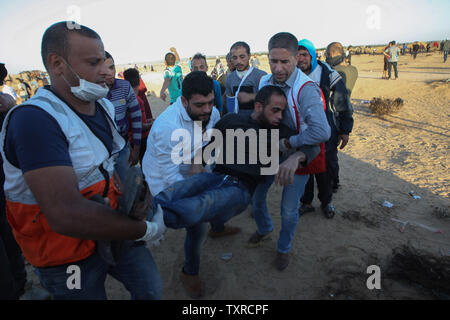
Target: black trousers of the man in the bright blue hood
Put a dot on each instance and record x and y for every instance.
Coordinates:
(326, 180)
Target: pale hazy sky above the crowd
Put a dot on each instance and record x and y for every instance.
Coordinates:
(143, 30)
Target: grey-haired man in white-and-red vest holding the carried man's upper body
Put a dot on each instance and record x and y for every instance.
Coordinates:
(306, 116)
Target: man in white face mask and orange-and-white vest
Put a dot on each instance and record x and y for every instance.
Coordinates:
(58, 152)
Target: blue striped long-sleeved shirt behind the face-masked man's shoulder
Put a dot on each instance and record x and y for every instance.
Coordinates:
(124, 100)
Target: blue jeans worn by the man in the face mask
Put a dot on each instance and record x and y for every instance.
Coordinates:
(136, 270)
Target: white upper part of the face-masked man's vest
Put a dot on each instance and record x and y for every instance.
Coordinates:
(86, 151)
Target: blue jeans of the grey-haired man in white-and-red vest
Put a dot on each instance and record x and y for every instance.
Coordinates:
(289, 210)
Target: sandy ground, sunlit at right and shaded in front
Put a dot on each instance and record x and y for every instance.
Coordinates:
(385, 160)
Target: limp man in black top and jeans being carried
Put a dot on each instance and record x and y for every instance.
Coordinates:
(226, 192)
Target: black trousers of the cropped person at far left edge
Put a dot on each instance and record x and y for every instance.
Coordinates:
(12, 267)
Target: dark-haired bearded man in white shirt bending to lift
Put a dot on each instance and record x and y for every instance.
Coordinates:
(196, 104)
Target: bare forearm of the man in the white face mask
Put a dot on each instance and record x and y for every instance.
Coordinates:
(69, 213)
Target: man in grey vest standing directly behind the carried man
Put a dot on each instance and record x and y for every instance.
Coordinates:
(242, 84)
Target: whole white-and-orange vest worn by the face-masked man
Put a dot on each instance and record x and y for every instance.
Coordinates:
(40, 245)
